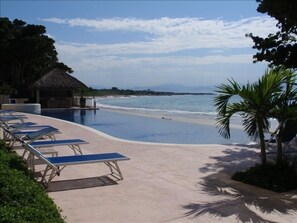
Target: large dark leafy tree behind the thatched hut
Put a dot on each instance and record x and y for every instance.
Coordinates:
(26, 53)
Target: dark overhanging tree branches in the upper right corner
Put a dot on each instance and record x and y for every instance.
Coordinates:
(279, 48)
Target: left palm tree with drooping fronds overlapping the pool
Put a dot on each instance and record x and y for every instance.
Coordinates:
(256, 104)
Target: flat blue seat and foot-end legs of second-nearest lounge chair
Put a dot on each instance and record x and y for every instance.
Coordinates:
(74, 144)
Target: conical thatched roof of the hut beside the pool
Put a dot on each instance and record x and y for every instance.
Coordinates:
(57, 79)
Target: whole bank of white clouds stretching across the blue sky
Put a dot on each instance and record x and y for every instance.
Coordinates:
(161, 52)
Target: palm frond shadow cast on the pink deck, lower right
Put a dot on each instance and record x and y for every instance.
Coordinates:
(232, 198)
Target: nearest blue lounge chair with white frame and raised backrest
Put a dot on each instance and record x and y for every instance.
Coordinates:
(54, 165)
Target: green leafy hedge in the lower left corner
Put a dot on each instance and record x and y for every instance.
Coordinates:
(22, 199)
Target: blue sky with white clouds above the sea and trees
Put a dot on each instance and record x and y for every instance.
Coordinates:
(140, 44)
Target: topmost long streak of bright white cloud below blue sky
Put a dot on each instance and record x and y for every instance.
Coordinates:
(173, 26)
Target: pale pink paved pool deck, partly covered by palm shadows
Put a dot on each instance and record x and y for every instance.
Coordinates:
(162, 183)
